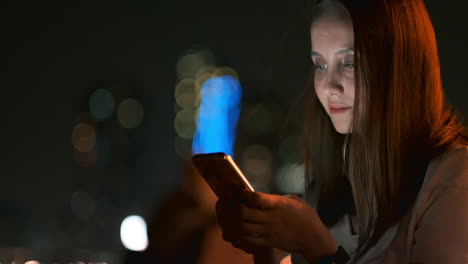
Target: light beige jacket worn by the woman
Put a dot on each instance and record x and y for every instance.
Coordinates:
(435, 230)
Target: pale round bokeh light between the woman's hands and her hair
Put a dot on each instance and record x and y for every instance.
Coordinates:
(291, 179)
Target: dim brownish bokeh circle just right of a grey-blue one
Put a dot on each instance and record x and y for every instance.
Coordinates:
(130, 113)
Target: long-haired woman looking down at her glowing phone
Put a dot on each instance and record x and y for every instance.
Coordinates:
(387, 160)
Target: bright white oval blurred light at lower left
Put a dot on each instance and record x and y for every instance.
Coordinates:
(133, 233)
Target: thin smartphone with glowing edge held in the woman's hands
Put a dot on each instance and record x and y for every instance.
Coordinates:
(221, 173)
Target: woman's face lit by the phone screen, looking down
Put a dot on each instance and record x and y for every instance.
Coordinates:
(333, 58)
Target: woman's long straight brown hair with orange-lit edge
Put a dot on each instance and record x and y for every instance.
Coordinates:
(400, 120)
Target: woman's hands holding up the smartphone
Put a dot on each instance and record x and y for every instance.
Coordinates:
(253, 221)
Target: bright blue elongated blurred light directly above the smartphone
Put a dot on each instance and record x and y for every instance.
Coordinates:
(218, 115)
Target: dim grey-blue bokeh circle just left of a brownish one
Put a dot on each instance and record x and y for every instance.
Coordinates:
(101, 104)
